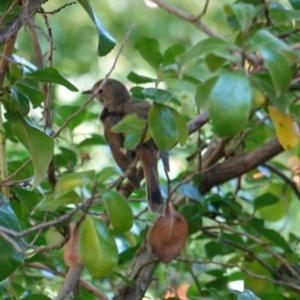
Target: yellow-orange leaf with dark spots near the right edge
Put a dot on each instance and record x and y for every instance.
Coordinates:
(287, 130)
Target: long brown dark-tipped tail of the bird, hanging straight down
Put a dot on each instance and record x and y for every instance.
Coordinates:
(149, 159)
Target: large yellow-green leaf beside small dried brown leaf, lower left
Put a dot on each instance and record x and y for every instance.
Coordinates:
(98, 247)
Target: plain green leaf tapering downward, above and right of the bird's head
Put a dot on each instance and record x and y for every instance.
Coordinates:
(149, 50)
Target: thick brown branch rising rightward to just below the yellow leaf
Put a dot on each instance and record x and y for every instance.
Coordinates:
(240, 165)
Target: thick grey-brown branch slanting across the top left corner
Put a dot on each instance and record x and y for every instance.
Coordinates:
(27, 12)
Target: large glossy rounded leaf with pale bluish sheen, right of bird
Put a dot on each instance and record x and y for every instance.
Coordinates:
(230, 102)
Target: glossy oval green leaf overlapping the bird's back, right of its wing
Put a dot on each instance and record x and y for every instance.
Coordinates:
(163, 126)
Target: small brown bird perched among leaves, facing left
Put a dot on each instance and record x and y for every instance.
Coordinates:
(118, 104)
